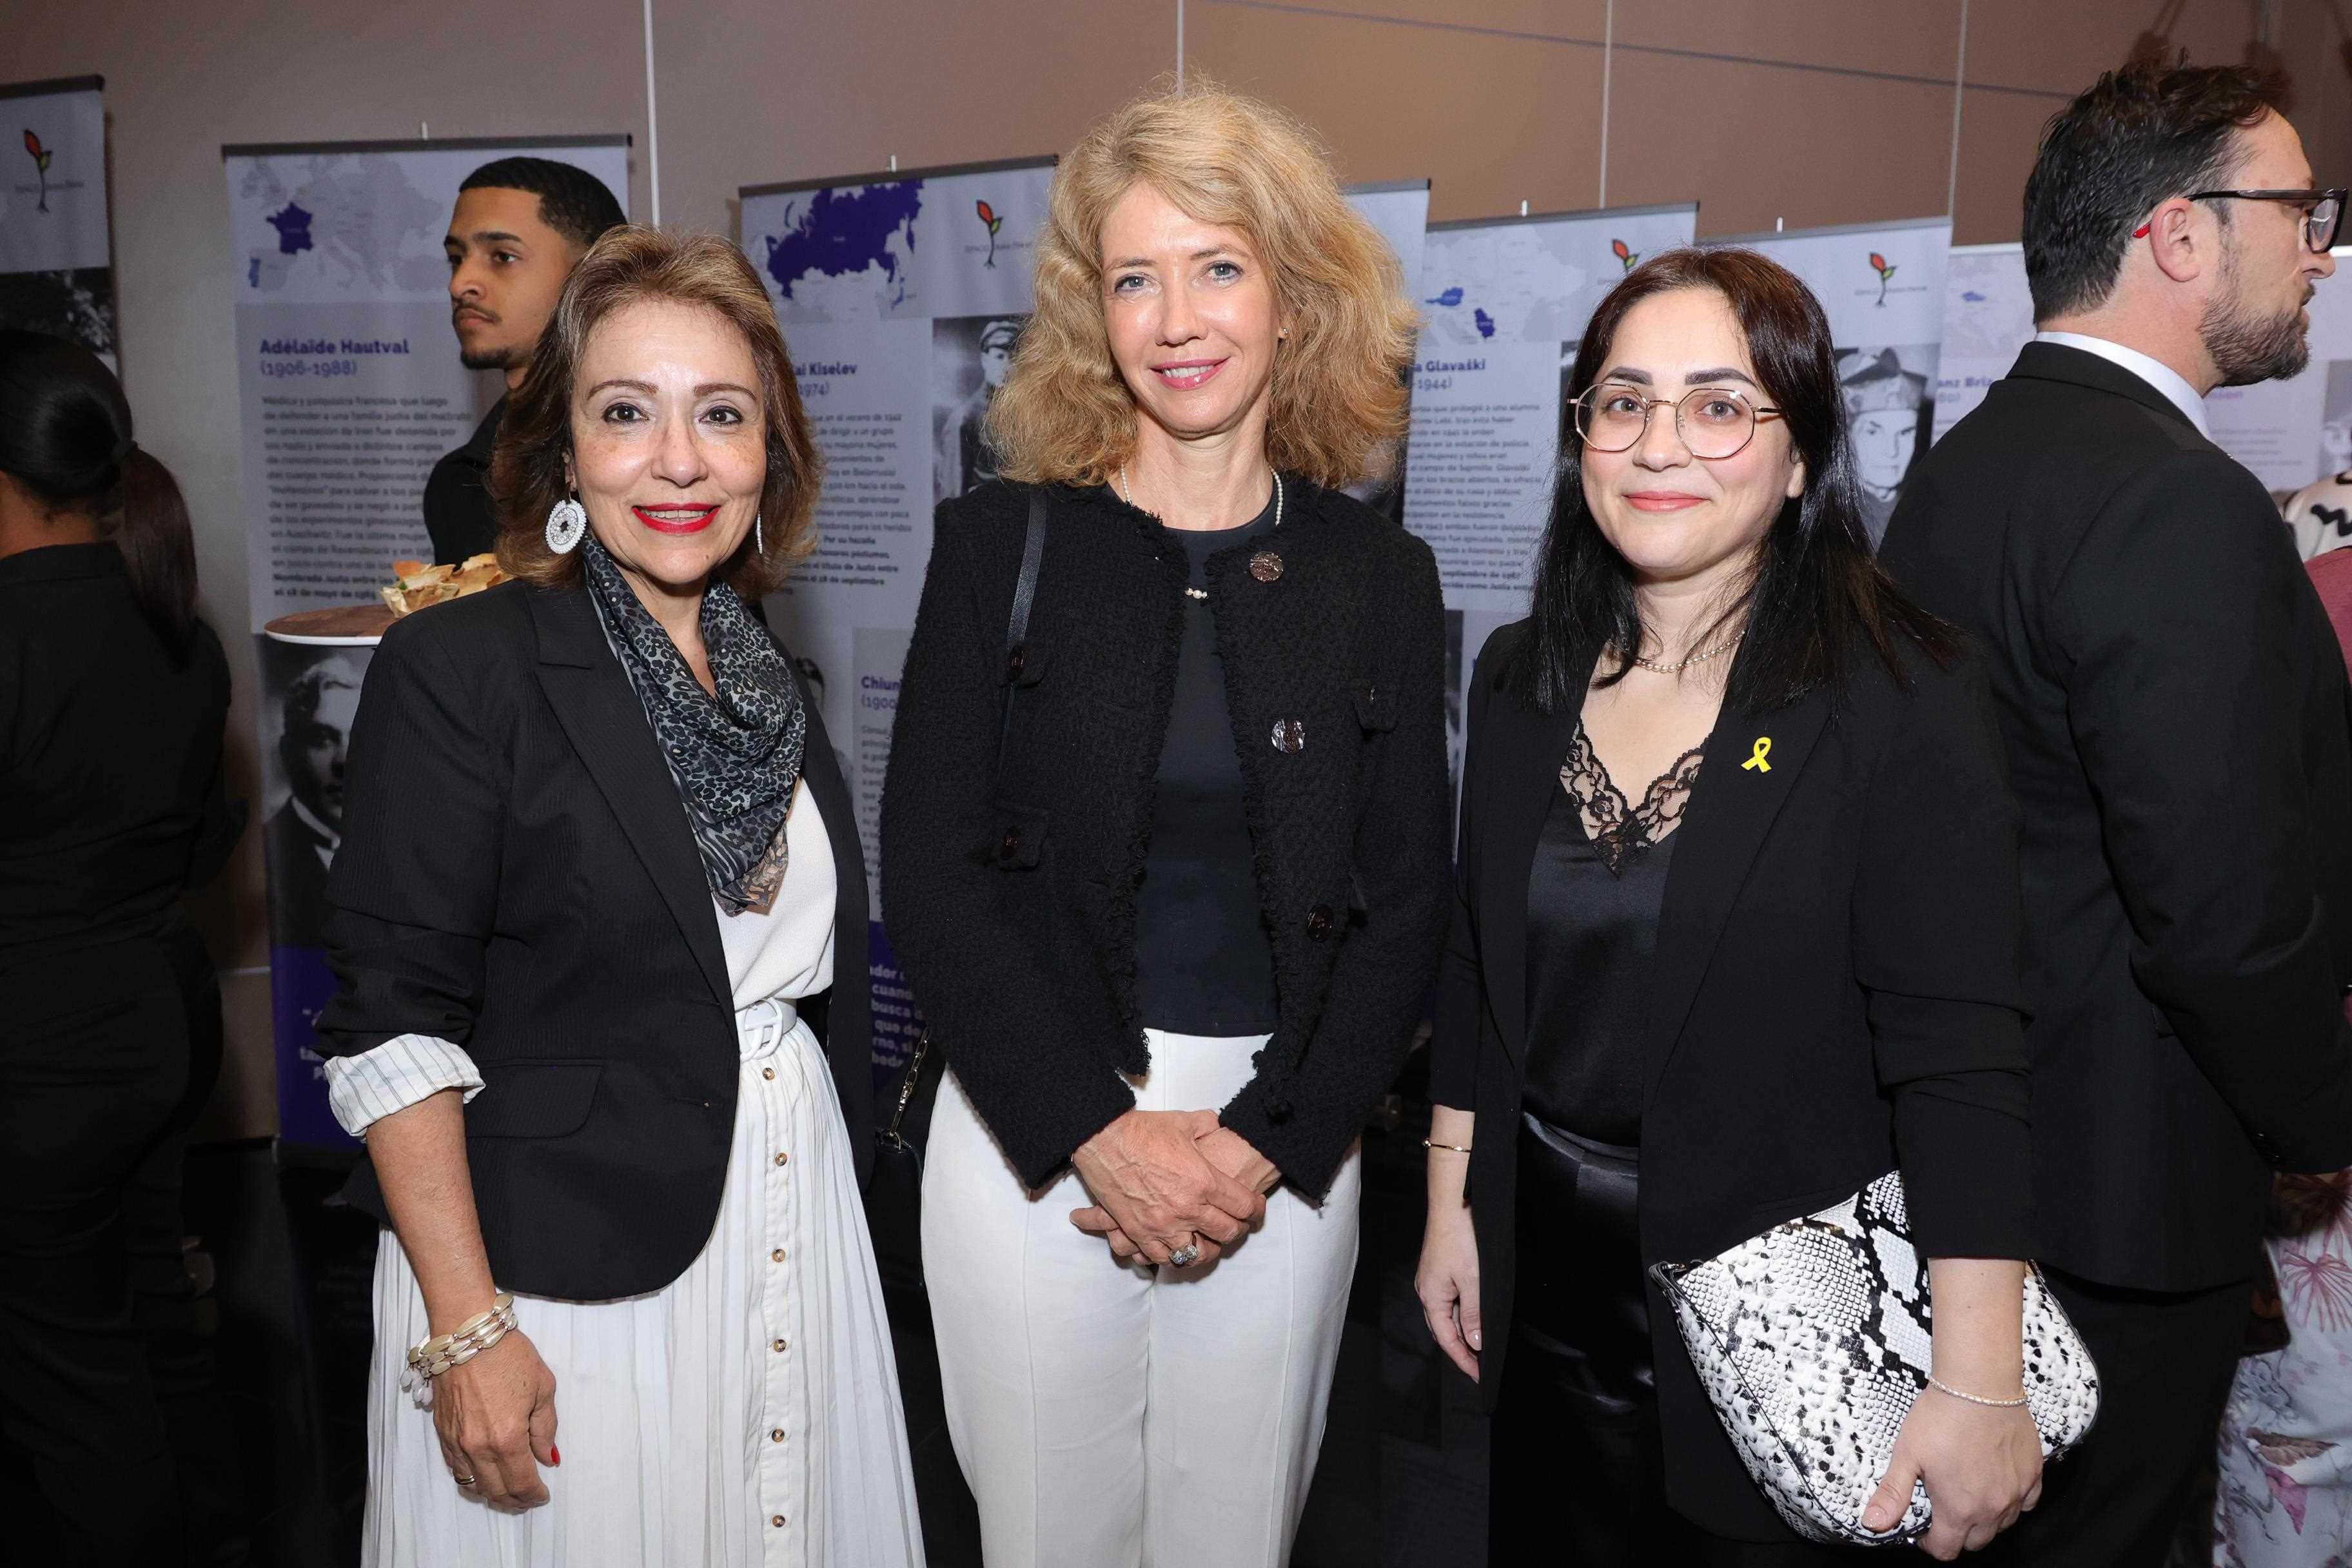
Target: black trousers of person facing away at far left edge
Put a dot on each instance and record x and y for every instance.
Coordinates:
(107, 1388)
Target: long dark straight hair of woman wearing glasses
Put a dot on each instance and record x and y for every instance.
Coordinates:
(1817, 587)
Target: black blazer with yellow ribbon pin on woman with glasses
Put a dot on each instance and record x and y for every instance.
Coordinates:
(1836, 996)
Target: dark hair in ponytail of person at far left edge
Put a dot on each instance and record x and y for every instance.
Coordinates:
(67, 438)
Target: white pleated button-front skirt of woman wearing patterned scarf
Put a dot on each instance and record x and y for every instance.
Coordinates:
(744, 1414)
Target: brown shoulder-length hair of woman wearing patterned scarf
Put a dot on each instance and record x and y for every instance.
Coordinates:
(535, 438)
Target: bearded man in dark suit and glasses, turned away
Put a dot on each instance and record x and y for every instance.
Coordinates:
(2177, 725)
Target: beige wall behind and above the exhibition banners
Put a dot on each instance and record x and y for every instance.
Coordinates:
(1812, 112)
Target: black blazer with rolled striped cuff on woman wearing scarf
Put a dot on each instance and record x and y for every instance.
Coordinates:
(519, 878)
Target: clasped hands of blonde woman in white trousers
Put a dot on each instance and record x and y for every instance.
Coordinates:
(1168, 1179)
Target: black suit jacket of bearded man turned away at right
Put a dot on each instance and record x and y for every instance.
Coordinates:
(2174, 713)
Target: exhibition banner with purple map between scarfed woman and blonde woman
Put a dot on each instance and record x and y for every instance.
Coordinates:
(902, 300)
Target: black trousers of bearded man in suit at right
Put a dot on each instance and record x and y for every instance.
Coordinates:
(2165, 1367)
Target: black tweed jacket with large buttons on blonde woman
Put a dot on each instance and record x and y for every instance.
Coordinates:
(1013, 899)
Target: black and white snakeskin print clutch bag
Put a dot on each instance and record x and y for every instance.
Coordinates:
(1812, 1341)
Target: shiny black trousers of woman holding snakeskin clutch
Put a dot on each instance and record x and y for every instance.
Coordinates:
(1577, 1470)
